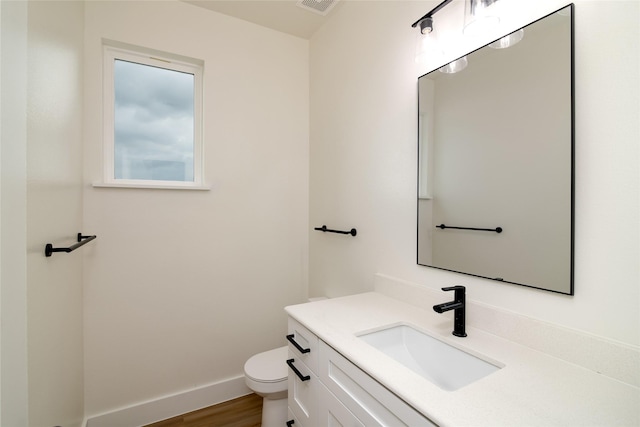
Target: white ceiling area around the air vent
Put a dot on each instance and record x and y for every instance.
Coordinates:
(280, 15)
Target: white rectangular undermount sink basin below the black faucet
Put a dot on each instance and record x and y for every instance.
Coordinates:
(444, 365)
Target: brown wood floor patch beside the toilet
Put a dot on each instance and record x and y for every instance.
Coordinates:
(244, 411)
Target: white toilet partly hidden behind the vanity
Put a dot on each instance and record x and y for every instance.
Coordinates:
(266, 374)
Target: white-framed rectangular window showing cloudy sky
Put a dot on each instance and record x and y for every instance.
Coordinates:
(152, 119)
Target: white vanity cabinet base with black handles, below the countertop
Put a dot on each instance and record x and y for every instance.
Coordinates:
(335, 392)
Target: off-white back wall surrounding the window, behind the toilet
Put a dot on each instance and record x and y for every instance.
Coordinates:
(182, 287)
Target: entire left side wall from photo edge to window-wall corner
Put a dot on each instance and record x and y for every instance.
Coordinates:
(42, 354)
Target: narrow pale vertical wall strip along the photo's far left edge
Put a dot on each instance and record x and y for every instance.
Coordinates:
(13, 214)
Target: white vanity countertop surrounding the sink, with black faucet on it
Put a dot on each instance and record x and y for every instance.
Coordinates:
(532, 389)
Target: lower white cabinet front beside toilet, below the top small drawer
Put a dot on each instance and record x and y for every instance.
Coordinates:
(302, 390)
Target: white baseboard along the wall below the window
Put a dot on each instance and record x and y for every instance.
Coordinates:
(171, 406)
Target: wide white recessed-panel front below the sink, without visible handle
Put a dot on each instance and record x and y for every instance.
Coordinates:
(367, 399)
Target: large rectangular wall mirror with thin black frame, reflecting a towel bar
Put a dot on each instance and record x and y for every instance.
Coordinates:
(496, 150)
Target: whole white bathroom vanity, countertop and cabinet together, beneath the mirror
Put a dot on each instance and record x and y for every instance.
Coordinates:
(346, 379)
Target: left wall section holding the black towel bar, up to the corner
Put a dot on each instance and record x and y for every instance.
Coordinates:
(54, 212)
